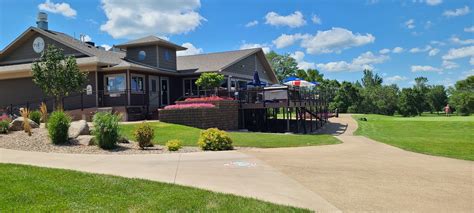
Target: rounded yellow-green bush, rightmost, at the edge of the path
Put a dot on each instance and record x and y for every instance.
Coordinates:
(215, 140)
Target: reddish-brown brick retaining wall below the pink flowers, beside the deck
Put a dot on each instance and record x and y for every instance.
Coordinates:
(224, 116)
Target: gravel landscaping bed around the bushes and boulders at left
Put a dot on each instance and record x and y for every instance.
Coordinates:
(39, 142)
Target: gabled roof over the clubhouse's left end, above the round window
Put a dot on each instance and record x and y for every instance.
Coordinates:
(103, 56)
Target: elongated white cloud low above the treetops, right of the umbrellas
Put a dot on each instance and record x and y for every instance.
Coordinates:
(363, 61)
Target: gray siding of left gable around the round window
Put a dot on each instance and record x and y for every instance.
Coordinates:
(26, 54)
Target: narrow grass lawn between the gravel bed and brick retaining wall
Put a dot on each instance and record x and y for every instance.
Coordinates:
(190, 135)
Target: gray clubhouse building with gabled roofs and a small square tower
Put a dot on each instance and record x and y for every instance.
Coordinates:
(141, 73)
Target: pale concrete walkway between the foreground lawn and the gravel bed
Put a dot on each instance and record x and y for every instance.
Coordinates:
(228, 172)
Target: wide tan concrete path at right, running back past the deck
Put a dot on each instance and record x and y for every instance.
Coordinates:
(365, 175)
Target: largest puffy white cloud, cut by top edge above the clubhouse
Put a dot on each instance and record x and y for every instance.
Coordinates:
(131, 19)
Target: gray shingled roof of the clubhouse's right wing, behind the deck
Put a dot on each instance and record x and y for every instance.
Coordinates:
(216, 62)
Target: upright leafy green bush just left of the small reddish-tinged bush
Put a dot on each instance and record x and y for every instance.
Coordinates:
(106, 129)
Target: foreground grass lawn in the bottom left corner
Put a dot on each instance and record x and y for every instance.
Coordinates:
(27, 188)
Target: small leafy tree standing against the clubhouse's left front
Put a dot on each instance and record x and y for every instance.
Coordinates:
(57, 75)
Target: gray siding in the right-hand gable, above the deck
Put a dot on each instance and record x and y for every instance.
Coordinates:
(247, 67)
